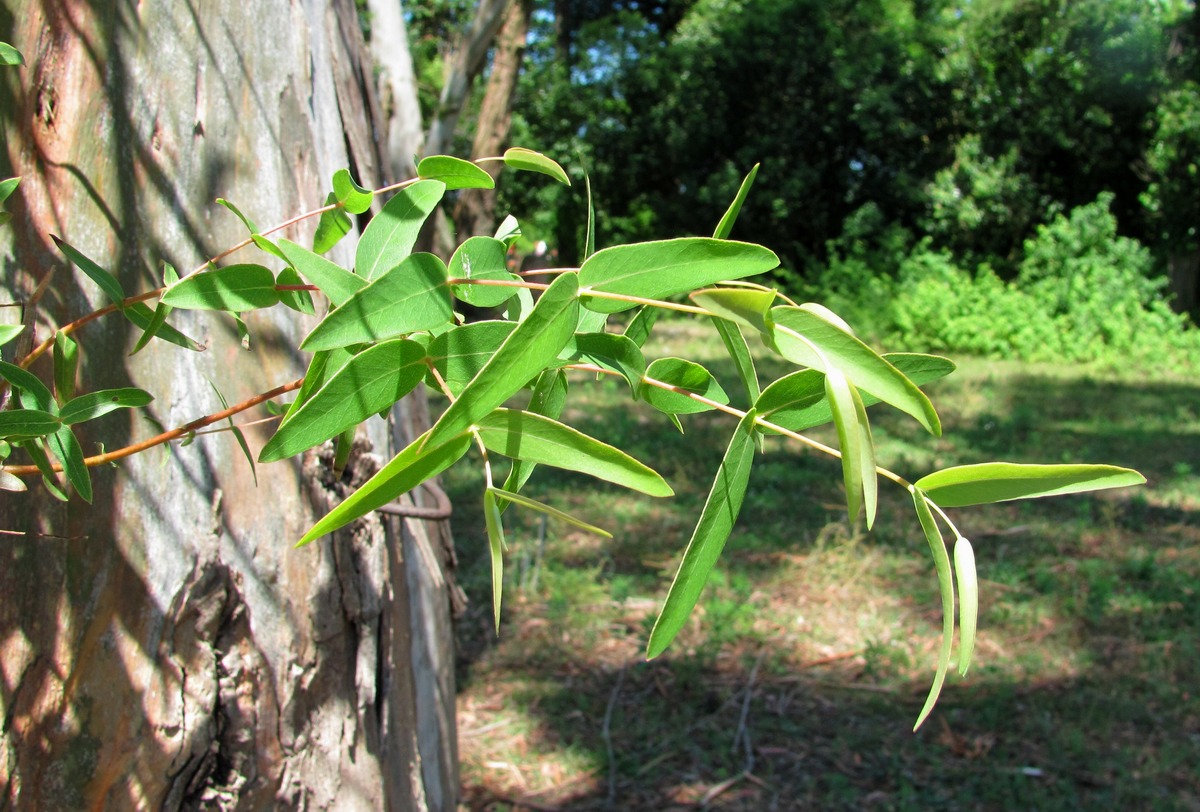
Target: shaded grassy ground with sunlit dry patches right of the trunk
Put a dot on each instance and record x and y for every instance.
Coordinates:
(797, 682)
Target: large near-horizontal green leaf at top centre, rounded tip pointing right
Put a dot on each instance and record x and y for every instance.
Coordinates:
(655, 270)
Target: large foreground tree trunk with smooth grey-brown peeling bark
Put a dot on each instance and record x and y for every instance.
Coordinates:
(166, 647)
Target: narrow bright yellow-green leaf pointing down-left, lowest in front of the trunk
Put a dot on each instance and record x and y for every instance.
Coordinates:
(405, 472)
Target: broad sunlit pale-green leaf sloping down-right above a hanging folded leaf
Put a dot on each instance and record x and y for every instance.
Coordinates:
(799, 330)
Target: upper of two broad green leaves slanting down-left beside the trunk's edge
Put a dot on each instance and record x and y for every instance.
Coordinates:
(411, 297)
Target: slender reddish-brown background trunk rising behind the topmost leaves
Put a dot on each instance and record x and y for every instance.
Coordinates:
(476, 212)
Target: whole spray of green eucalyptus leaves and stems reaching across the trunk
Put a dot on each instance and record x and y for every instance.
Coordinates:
(391, 324)
